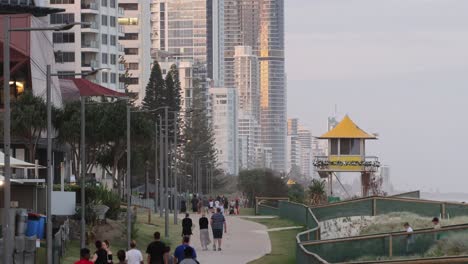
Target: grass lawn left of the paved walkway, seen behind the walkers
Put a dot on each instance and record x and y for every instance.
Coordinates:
(144, 236)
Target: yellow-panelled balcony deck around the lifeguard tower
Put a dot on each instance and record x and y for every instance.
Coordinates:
(346, 163)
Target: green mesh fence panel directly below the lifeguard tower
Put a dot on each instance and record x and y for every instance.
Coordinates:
(352, 208)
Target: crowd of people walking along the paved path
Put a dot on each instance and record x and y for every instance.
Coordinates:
(158, 253)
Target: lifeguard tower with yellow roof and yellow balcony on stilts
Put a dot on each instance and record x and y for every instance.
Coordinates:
(347, 153)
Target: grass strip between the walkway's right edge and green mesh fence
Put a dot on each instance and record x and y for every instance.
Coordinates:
(283, 243)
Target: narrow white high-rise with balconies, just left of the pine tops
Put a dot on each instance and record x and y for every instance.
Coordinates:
(137, 45)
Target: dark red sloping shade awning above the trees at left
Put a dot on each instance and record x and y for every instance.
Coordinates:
(72, 89)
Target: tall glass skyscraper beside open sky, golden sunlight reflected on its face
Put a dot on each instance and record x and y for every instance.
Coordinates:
(273, 80)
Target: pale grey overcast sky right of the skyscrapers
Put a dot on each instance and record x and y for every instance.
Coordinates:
(397, 67)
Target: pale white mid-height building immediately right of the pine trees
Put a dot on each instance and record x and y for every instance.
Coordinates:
(223, 104)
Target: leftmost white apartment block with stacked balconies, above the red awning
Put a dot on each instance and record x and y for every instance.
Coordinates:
(95, 46)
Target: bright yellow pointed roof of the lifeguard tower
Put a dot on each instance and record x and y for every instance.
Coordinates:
(347, 129)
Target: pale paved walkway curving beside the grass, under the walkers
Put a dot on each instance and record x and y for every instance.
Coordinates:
(245, 241)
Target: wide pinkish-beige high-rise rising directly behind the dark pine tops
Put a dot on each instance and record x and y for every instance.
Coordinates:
(191, 30)
